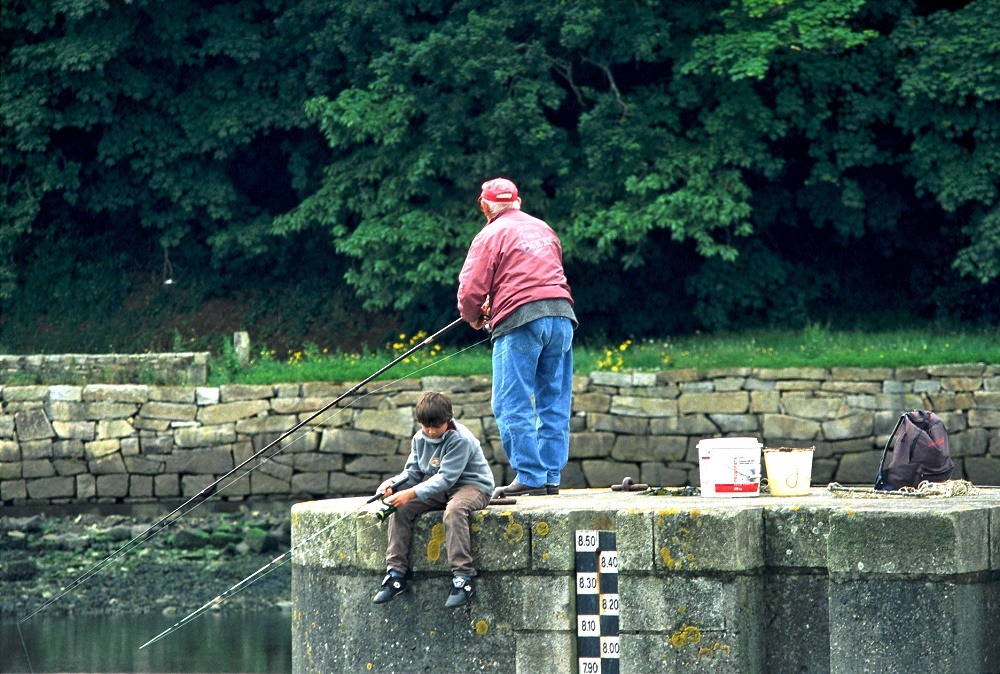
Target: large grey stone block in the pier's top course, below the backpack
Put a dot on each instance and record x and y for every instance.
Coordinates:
(869, 540)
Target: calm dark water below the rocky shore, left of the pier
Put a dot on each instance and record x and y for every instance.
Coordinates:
(214, 642)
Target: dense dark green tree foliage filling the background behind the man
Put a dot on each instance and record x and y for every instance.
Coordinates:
(716, 164)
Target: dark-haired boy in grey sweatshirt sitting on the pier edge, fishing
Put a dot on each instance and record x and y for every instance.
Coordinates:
(448, 470)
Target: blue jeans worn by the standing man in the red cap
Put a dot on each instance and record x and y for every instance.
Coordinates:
(535, 359)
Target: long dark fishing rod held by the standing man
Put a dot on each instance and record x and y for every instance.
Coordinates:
(180, 511)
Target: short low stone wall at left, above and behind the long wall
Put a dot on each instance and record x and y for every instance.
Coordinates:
(180, 369)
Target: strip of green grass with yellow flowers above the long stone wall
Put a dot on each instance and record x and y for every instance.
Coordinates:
(814, 346)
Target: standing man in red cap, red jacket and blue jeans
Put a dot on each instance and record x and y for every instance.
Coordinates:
(513, 277)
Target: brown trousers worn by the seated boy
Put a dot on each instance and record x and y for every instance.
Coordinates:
(457, 503)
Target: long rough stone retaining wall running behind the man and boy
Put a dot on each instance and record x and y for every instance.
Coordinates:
(134, 443)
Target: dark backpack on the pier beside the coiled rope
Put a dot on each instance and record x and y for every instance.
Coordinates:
(920, 453)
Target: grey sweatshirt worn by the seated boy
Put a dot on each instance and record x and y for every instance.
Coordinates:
(455, 458)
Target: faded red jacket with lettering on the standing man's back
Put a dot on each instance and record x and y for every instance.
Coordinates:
(515, 259)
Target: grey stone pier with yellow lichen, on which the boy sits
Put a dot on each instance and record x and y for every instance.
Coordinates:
(754, 585)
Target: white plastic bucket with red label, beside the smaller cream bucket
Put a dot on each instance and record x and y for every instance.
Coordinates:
(729, 467)
